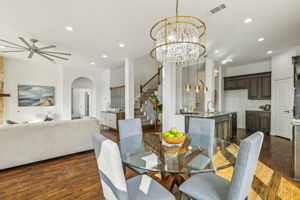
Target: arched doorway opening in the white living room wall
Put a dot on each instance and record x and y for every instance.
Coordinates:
(82, 90)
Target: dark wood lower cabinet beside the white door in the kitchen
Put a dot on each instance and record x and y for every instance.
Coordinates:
(258, 121)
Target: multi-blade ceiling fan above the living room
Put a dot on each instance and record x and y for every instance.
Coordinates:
(32, 49)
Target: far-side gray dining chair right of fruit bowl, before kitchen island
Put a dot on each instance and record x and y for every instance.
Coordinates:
(205, 129)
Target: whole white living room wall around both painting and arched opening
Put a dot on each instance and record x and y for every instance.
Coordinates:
(20, 72)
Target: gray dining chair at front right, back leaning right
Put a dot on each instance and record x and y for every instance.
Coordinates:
(212, 186)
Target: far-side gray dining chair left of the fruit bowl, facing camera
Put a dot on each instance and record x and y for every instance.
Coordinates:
(129, 128)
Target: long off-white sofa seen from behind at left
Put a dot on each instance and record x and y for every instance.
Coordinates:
(27, 143)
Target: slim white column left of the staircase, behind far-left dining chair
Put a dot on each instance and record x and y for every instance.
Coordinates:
(129, 88)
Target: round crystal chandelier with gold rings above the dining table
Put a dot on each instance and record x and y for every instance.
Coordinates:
(178, 39)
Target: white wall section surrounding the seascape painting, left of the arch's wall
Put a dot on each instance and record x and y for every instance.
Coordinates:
(19, 72)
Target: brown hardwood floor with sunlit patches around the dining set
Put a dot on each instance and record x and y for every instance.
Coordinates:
(76, 176)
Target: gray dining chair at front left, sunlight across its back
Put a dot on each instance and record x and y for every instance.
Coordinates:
(112, 177)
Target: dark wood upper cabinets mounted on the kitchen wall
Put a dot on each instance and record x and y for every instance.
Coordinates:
(258, 85)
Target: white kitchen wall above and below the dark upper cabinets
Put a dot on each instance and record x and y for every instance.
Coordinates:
(237, 100)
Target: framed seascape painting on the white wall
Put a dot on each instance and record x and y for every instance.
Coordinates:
(31, 95)
